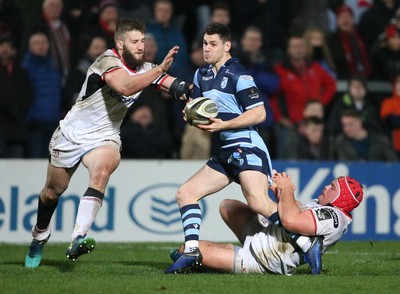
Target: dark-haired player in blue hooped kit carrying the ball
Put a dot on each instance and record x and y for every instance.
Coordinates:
(243, 156)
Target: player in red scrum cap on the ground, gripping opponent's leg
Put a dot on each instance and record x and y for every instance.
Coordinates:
(269, 248)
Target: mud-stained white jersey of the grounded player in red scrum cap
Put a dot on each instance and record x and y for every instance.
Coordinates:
(275, 250)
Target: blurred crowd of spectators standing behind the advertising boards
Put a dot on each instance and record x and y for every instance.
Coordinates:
(296, 50)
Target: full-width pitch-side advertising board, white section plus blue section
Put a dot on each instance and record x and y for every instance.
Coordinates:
(140, 206)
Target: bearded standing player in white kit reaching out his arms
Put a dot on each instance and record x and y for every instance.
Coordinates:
(89, 133)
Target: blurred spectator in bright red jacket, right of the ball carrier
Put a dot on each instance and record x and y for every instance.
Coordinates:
(300, 81)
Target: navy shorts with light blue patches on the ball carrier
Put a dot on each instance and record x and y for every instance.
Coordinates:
(232, 161)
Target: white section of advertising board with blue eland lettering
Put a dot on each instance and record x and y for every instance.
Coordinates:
(139, 203)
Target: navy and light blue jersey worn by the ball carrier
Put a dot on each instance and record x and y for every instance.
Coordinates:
(234, 91)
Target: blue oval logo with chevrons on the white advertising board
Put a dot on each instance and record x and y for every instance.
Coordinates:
(154, 209)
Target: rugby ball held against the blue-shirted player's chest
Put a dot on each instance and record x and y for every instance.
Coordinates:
(198, 110)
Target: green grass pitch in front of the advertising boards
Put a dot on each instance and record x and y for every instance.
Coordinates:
(349, 267)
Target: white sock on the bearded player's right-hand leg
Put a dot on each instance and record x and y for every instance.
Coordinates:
(87, 212)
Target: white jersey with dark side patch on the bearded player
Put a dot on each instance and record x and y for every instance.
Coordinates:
(99, 110)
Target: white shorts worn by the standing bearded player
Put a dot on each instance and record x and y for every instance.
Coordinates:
(64, 153)
